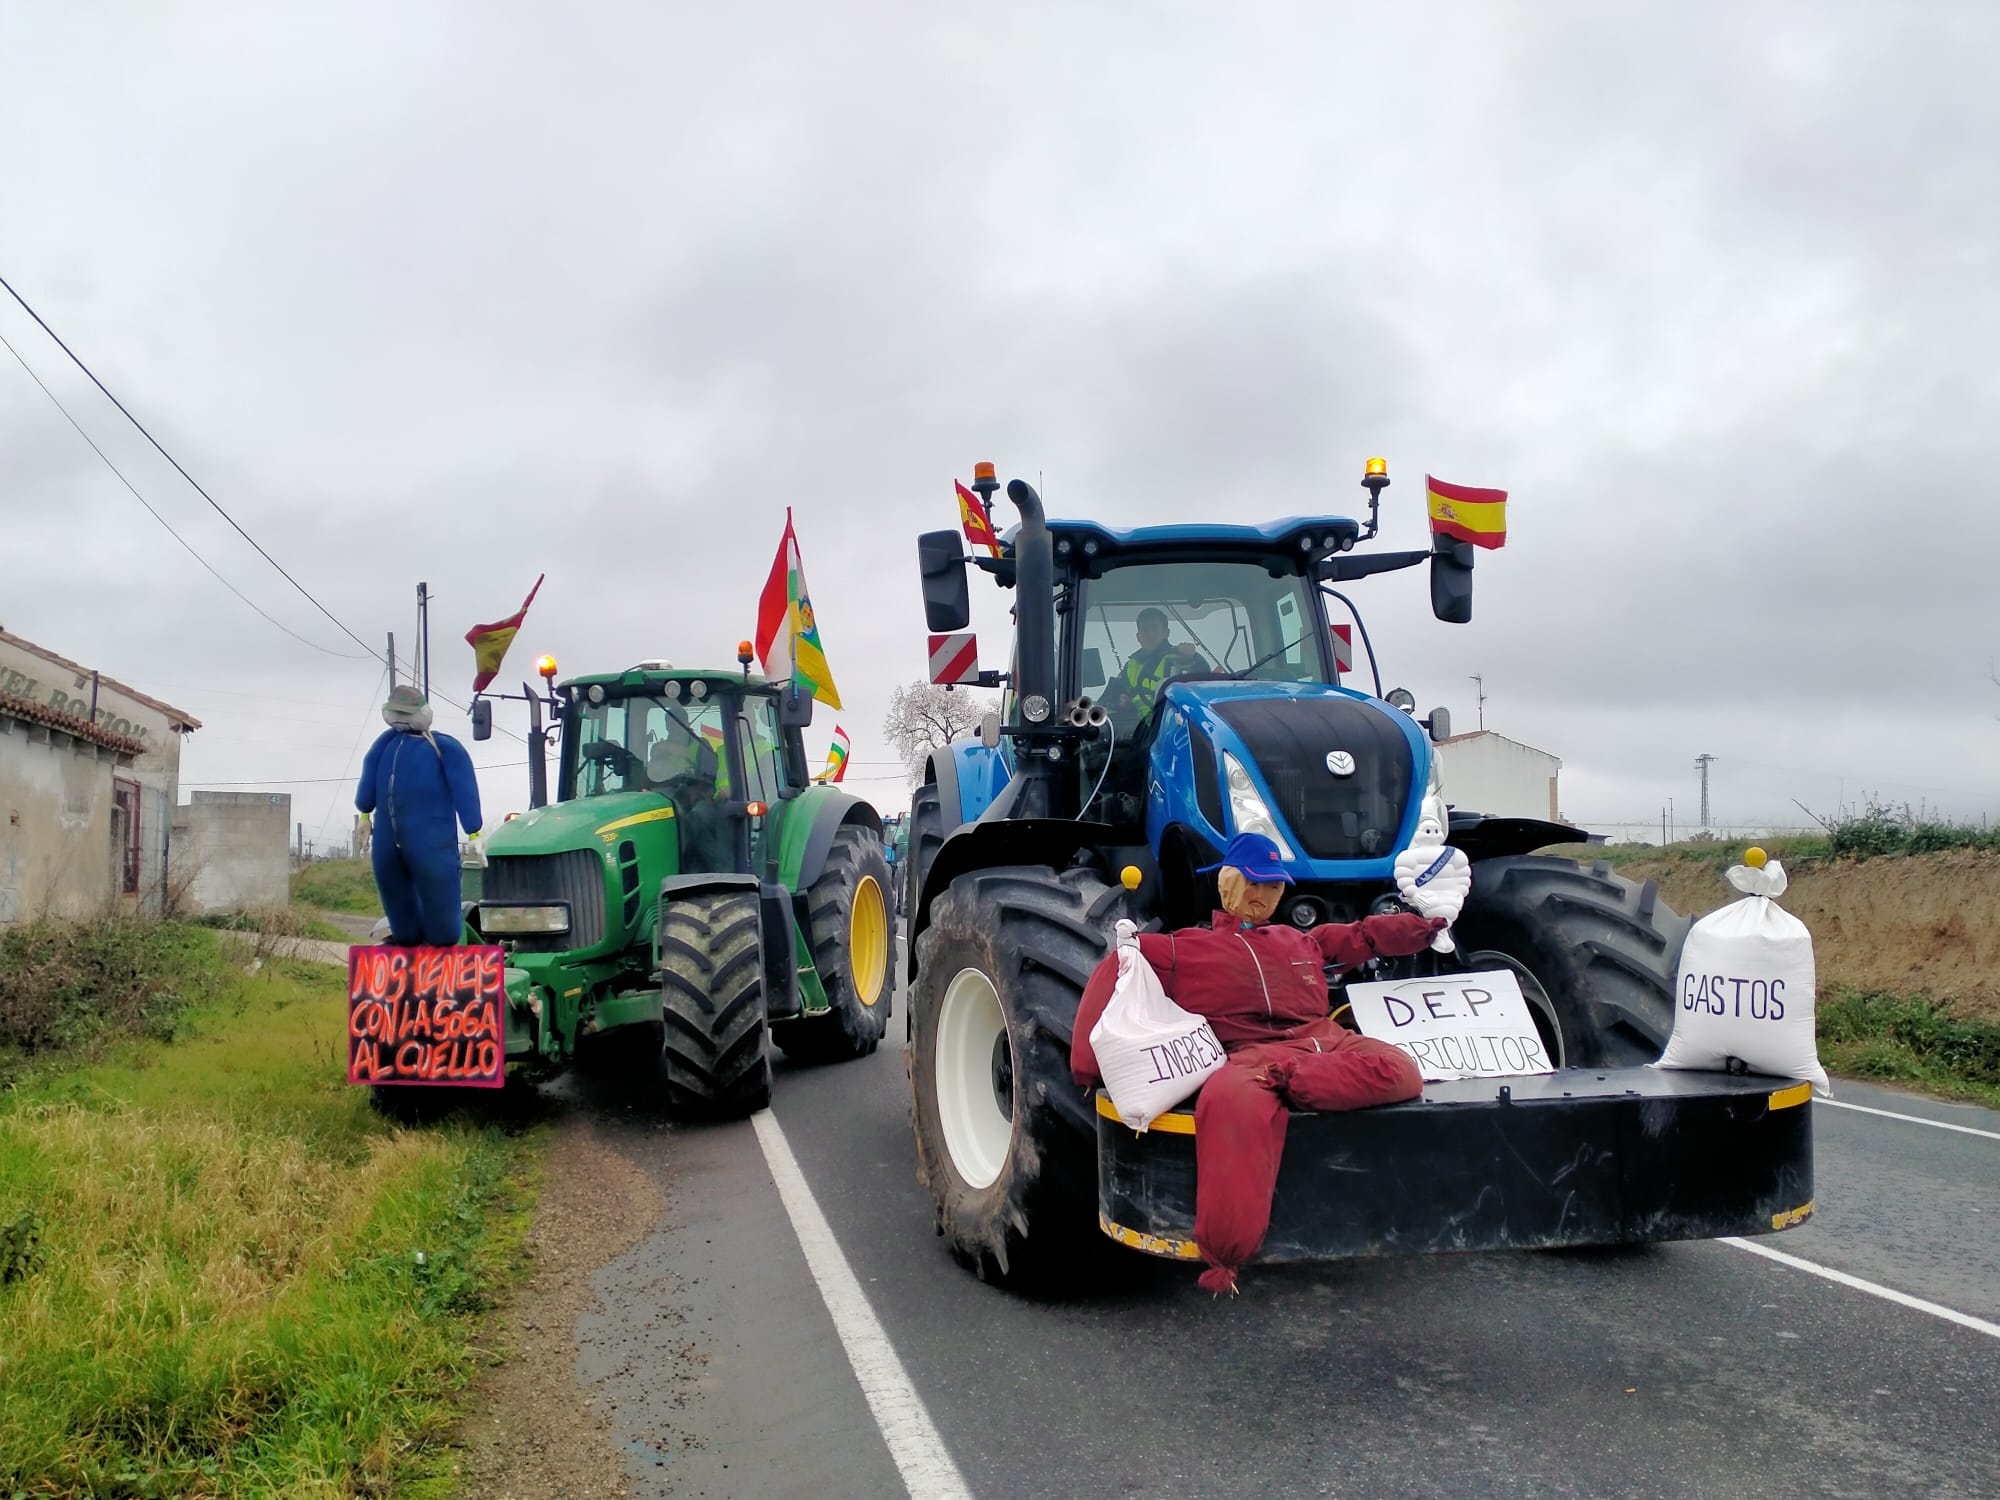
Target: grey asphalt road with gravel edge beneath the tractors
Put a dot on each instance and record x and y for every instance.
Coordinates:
(1675, 1371)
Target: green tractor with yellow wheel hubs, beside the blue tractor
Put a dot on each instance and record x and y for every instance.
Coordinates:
(689, 895)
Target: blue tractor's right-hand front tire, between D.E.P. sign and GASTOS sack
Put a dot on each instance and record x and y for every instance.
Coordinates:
(1593, 951)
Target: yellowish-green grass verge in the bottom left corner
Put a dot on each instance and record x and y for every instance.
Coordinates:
(223, 1275)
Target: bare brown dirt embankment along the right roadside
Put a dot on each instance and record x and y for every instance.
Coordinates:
(1919, 925)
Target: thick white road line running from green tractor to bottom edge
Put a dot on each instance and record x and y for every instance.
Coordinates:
(913, 1441)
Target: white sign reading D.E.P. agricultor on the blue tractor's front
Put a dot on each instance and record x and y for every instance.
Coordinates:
(1455, 1025)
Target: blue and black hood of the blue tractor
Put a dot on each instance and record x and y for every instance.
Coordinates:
(1341, 775)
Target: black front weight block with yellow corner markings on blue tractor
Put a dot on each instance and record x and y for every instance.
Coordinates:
(1535, 1163)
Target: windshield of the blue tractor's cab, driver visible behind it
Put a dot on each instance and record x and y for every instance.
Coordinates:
(1149, 623)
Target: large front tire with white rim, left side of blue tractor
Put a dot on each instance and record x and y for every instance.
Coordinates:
(1005, 1139)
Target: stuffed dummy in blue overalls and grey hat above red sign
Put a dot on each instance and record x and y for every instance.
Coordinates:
(421, 789)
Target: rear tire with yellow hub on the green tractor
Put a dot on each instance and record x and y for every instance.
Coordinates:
(853, 949)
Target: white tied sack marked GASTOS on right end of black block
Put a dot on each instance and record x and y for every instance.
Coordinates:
(1747, 987)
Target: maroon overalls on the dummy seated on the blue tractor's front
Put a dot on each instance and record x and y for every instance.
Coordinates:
(1265, 993)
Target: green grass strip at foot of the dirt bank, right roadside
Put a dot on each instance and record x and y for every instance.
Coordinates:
(1909, 1041)
